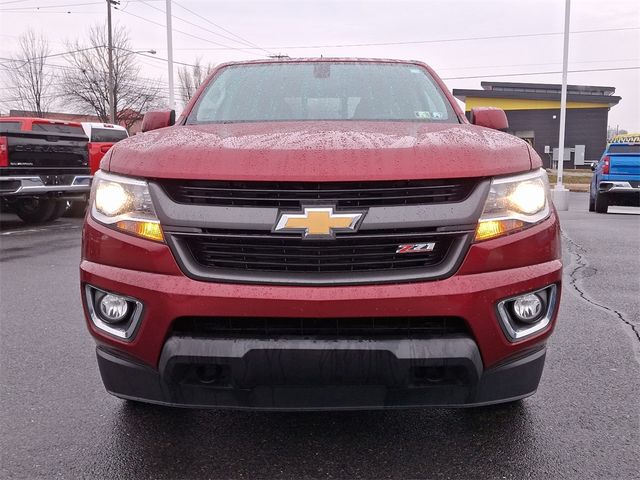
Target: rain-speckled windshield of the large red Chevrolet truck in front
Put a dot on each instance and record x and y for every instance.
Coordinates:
(322, 91)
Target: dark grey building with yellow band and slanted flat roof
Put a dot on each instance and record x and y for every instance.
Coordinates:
(533, 111)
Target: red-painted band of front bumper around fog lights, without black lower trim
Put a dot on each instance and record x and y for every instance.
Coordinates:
(471, 297)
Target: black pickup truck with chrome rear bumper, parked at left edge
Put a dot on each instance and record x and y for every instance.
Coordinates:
(43, 165)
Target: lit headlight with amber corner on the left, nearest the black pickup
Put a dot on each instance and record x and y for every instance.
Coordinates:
(124, 204)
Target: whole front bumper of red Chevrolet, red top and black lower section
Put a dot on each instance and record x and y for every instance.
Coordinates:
(158, 365)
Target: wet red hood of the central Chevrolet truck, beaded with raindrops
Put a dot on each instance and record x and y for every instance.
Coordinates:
(319, 151)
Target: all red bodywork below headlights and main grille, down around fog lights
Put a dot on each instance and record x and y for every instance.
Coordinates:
(492, 270)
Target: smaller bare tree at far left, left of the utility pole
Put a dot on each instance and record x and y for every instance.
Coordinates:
(28, 75)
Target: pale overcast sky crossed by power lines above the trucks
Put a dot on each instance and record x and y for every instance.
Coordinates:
(285, 26)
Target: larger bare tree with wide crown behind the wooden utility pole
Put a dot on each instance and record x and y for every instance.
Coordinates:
(86, 83)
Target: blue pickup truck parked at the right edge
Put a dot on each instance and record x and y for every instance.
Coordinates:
(616, 177)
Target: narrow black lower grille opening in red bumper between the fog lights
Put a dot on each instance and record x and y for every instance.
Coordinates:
(357, 327)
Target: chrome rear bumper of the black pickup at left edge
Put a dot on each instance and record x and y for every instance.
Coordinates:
(35, 185)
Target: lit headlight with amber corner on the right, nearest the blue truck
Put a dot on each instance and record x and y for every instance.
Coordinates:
(514, 203)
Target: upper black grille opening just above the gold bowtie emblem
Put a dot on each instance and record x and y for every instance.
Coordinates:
(295, 194)
